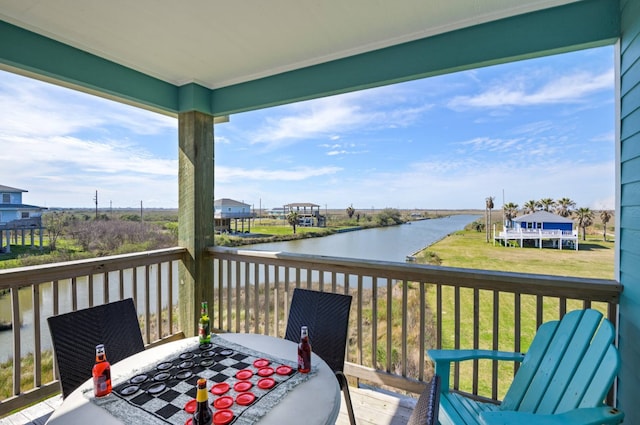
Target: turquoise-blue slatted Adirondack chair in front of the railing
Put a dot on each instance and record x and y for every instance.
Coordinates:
(563, 379)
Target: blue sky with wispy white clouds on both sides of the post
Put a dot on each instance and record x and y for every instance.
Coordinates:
(527, 130)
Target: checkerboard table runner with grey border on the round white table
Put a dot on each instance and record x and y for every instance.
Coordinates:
(160, 393)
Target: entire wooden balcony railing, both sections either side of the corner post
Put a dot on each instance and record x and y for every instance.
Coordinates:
(398, 310)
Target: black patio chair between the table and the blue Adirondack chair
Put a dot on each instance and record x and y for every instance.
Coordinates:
(327, 317)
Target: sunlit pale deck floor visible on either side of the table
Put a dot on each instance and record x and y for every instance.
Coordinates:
(370, 407)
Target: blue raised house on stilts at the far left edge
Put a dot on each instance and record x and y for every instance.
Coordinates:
(17, 218)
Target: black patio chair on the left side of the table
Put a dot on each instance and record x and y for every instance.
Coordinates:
(75, 335)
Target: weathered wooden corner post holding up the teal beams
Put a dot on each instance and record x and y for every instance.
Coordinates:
(195, 216)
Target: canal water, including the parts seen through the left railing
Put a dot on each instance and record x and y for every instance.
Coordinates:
(392, 243)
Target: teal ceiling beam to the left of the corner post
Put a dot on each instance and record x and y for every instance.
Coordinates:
(36, 55)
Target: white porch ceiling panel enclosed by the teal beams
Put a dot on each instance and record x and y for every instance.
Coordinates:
(219, 43)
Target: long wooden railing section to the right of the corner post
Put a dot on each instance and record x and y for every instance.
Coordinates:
(401, 310)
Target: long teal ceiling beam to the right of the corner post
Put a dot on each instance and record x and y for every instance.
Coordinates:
(584, 24)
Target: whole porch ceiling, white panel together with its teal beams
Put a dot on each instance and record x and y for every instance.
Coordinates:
(221, 58)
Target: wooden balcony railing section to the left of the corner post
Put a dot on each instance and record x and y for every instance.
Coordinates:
(38, 292)
